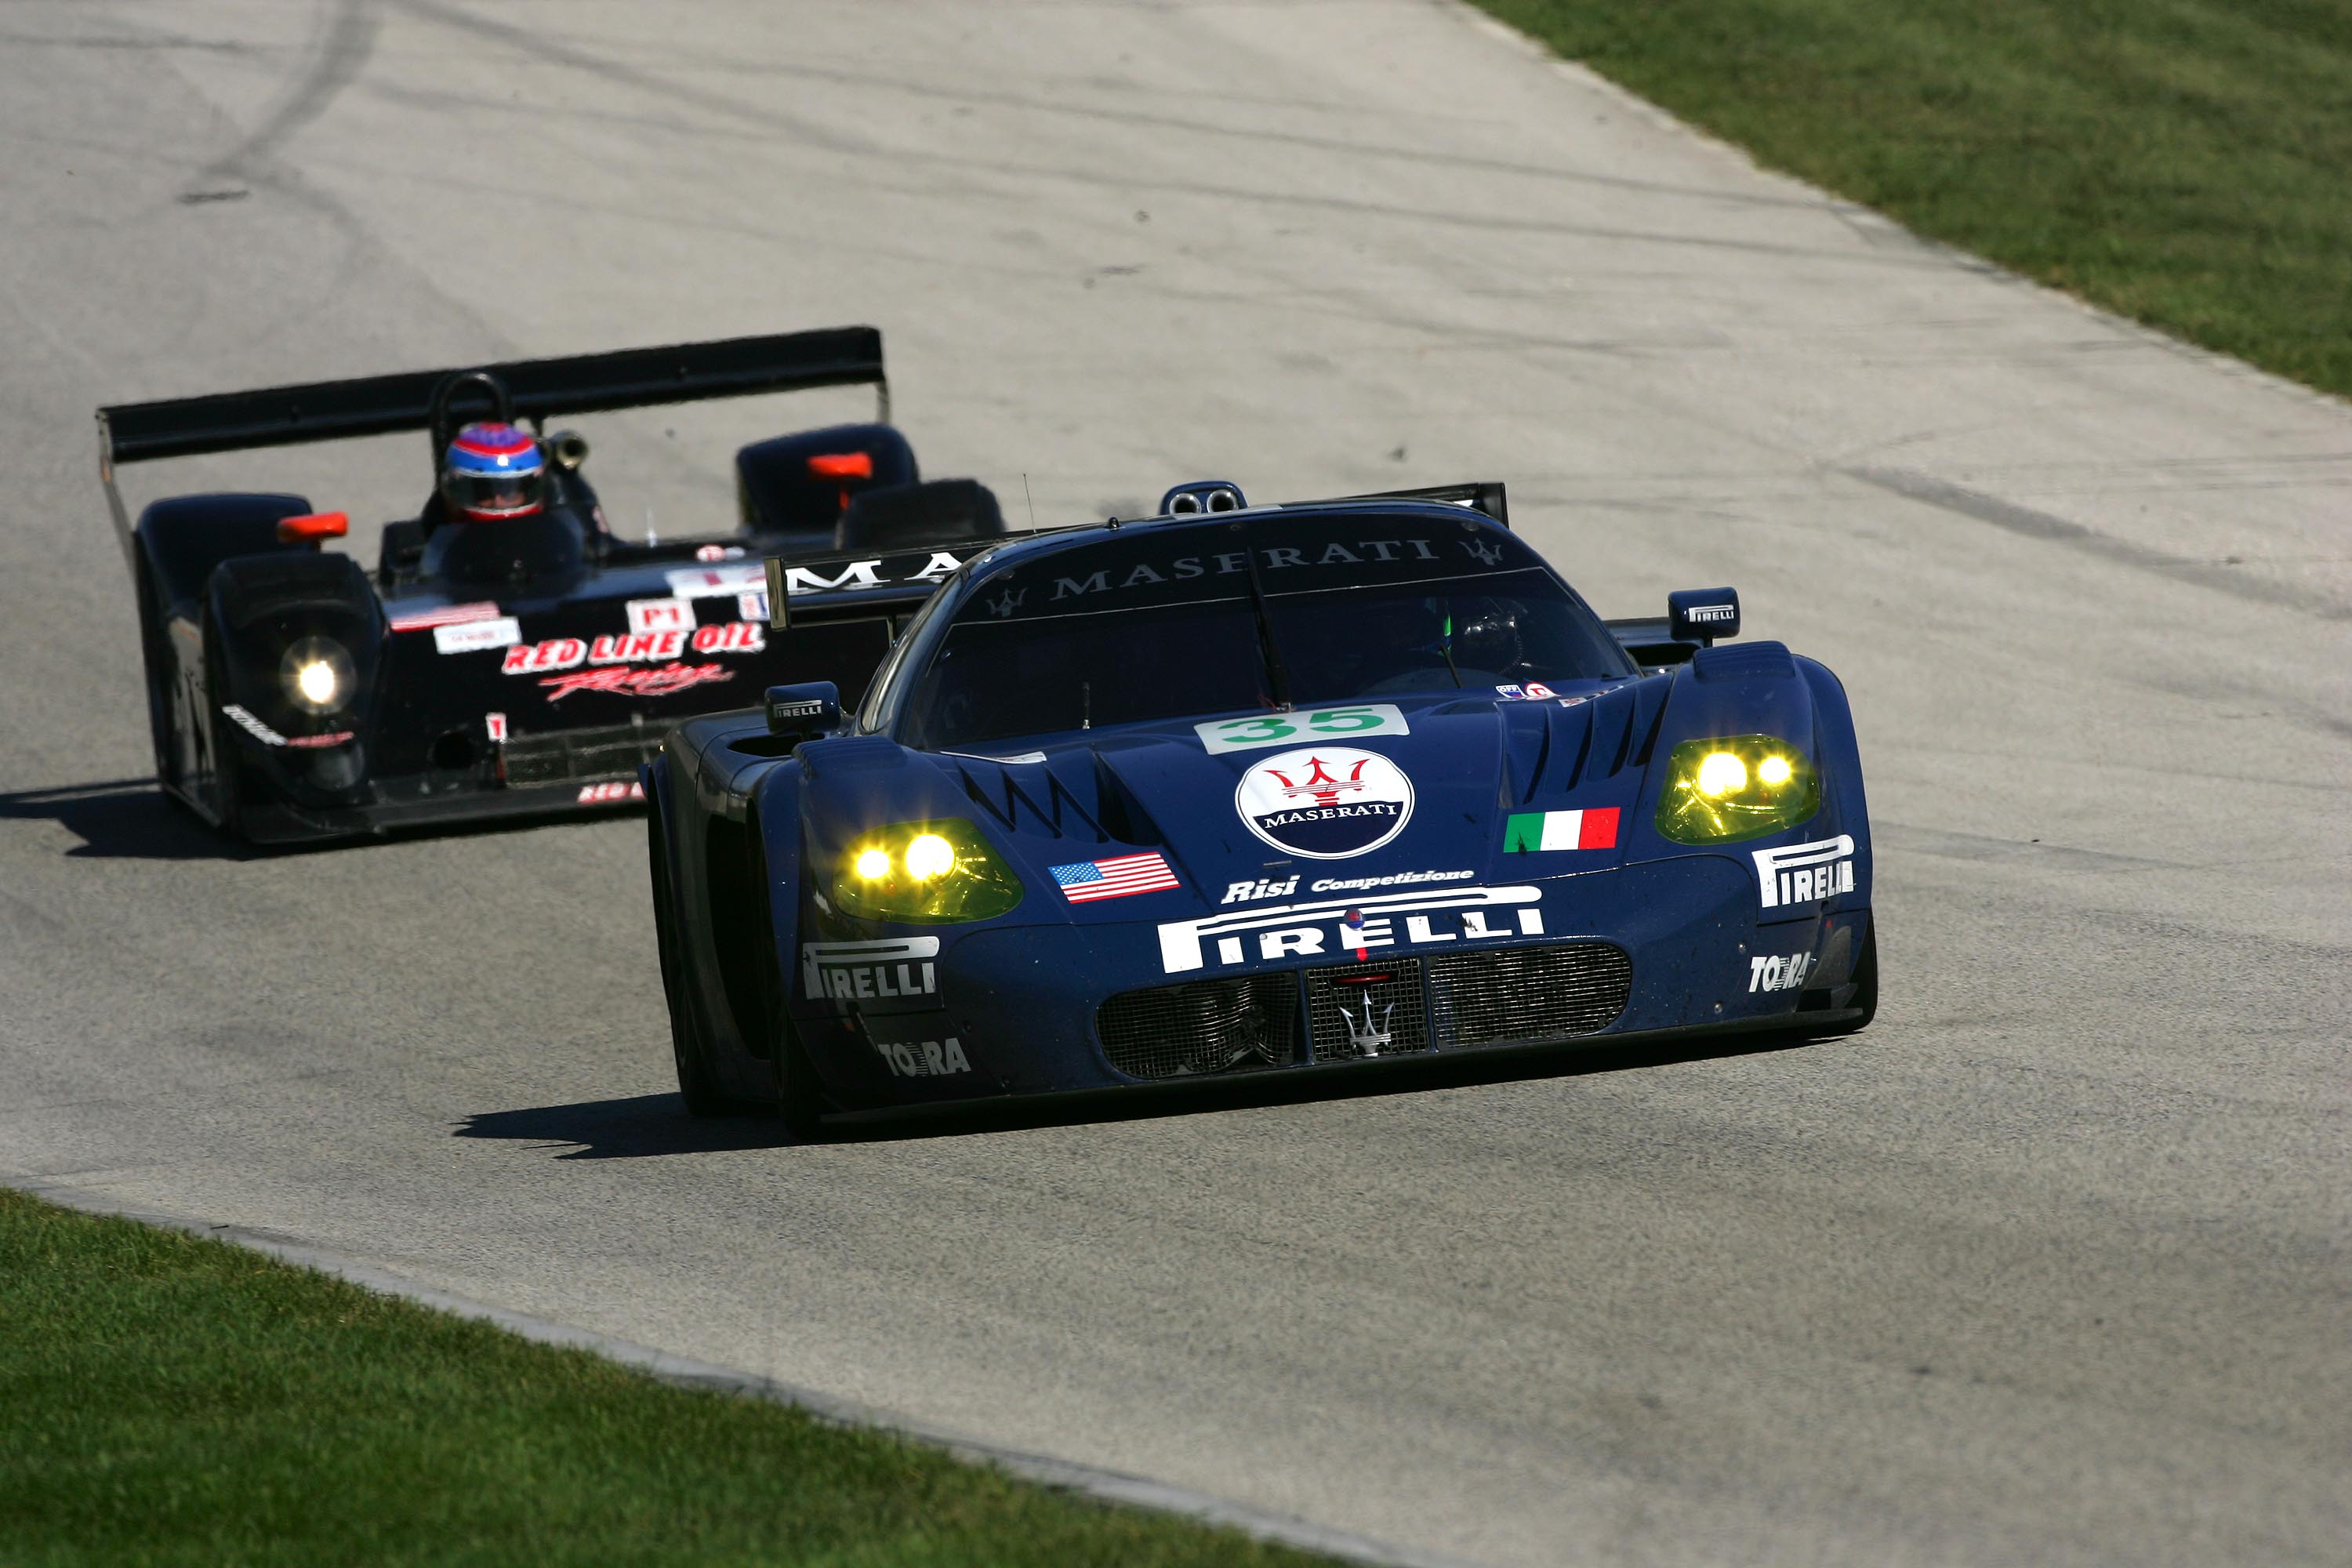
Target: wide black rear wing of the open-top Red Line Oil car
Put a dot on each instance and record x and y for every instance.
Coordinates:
(540, 389)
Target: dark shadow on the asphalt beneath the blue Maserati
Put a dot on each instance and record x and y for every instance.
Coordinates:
(660, 1125)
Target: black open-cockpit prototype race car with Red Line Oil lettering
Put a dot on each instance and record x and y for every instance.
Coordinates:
(493, 669)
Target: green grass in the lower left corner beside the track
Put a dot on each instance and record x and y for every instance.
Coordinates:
(168, 1400)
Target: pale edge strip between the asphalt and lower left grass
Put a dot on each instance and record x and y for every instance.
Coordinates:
(686, 1372)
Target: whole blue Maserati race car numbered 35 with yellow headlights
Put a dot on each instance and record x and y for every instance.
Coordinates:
(1278, 791)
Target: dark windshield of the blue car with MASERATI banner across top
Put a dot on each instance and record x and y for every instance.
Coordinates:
(1168, 626)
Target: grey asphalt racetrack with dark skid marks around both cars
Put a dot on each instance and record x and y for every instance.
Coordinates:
(2045, 1268)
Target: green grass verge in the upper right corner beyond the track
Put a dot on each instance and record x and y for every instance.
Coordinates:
(2186, 163)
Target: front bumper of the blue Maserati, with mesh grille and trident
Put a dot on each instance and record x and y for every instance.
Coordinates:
(1669, 949)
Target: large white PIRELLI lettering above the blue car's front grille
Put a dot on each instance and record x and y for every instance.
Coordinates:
(1391, 920)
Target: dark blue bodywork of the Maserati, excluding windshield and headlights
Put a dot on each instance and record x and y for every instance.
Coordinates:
(1452, 934)
